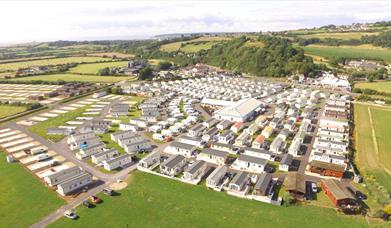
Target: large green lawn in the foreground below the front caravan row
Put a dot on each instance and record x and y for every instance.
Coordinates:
(153, 201)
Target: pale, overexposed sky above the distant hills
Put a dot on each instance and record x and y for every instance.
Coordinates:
(93, 20)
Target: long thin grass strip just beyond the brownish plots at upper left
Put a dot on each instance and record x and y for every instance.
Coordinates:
(75, 77)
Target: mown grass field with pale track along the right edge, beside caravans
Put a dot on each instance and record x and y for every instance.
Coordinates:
(372, 142)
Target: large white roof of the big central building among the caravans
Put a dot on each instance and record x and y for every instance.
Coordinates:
(240, 108)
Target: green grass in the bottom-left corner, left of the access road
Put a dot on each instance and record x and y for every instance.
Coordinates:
(23, 199)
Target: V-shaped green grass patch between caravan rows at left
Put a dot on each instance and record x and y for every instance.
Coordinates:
(41, 127)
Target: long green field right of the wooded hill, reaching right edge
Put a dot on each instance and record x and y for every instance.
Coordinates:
(360, 51)
